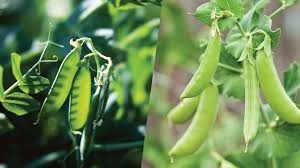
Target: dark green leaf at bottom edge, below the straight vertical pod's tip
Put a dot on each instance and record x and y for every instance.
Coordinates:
(246, 160)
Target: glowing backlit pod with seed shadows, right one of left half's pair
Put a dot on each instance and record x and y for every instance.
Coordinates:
(80, 98)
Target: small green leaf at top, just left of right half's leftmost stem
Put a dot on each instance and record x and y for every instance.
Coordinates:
(203, 13)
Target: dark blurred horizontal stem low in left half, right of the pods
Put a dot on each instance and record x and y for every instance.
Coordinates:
(118, 146)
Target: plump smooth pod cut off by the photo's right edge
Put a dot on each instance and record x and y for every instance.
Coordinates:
(273, 90)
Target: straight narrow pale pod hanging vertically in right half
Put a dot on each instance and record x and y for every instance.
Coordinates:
(252, 112)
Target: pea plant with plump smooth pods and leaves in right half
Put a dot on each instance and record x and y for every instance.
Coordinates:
(238, 62)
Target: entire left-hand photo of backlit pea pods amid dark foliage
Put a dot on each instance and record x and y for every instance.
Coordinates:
(79, 99)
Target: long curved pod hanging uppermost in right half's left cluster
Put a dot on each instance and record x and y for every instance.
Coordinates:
(208, 66)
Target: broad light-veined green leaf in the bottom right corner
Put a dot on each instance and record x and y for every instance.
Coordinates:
(277, 142)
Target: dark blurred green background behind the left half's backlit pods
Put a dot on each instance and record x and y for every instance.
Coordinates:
(125, 30)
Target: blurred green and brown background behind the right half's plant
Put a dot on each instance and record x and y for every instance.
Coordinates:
(181, 40)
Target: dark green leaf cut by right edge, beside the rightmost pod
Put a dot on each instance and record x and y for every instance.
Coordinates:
(291, 79)
